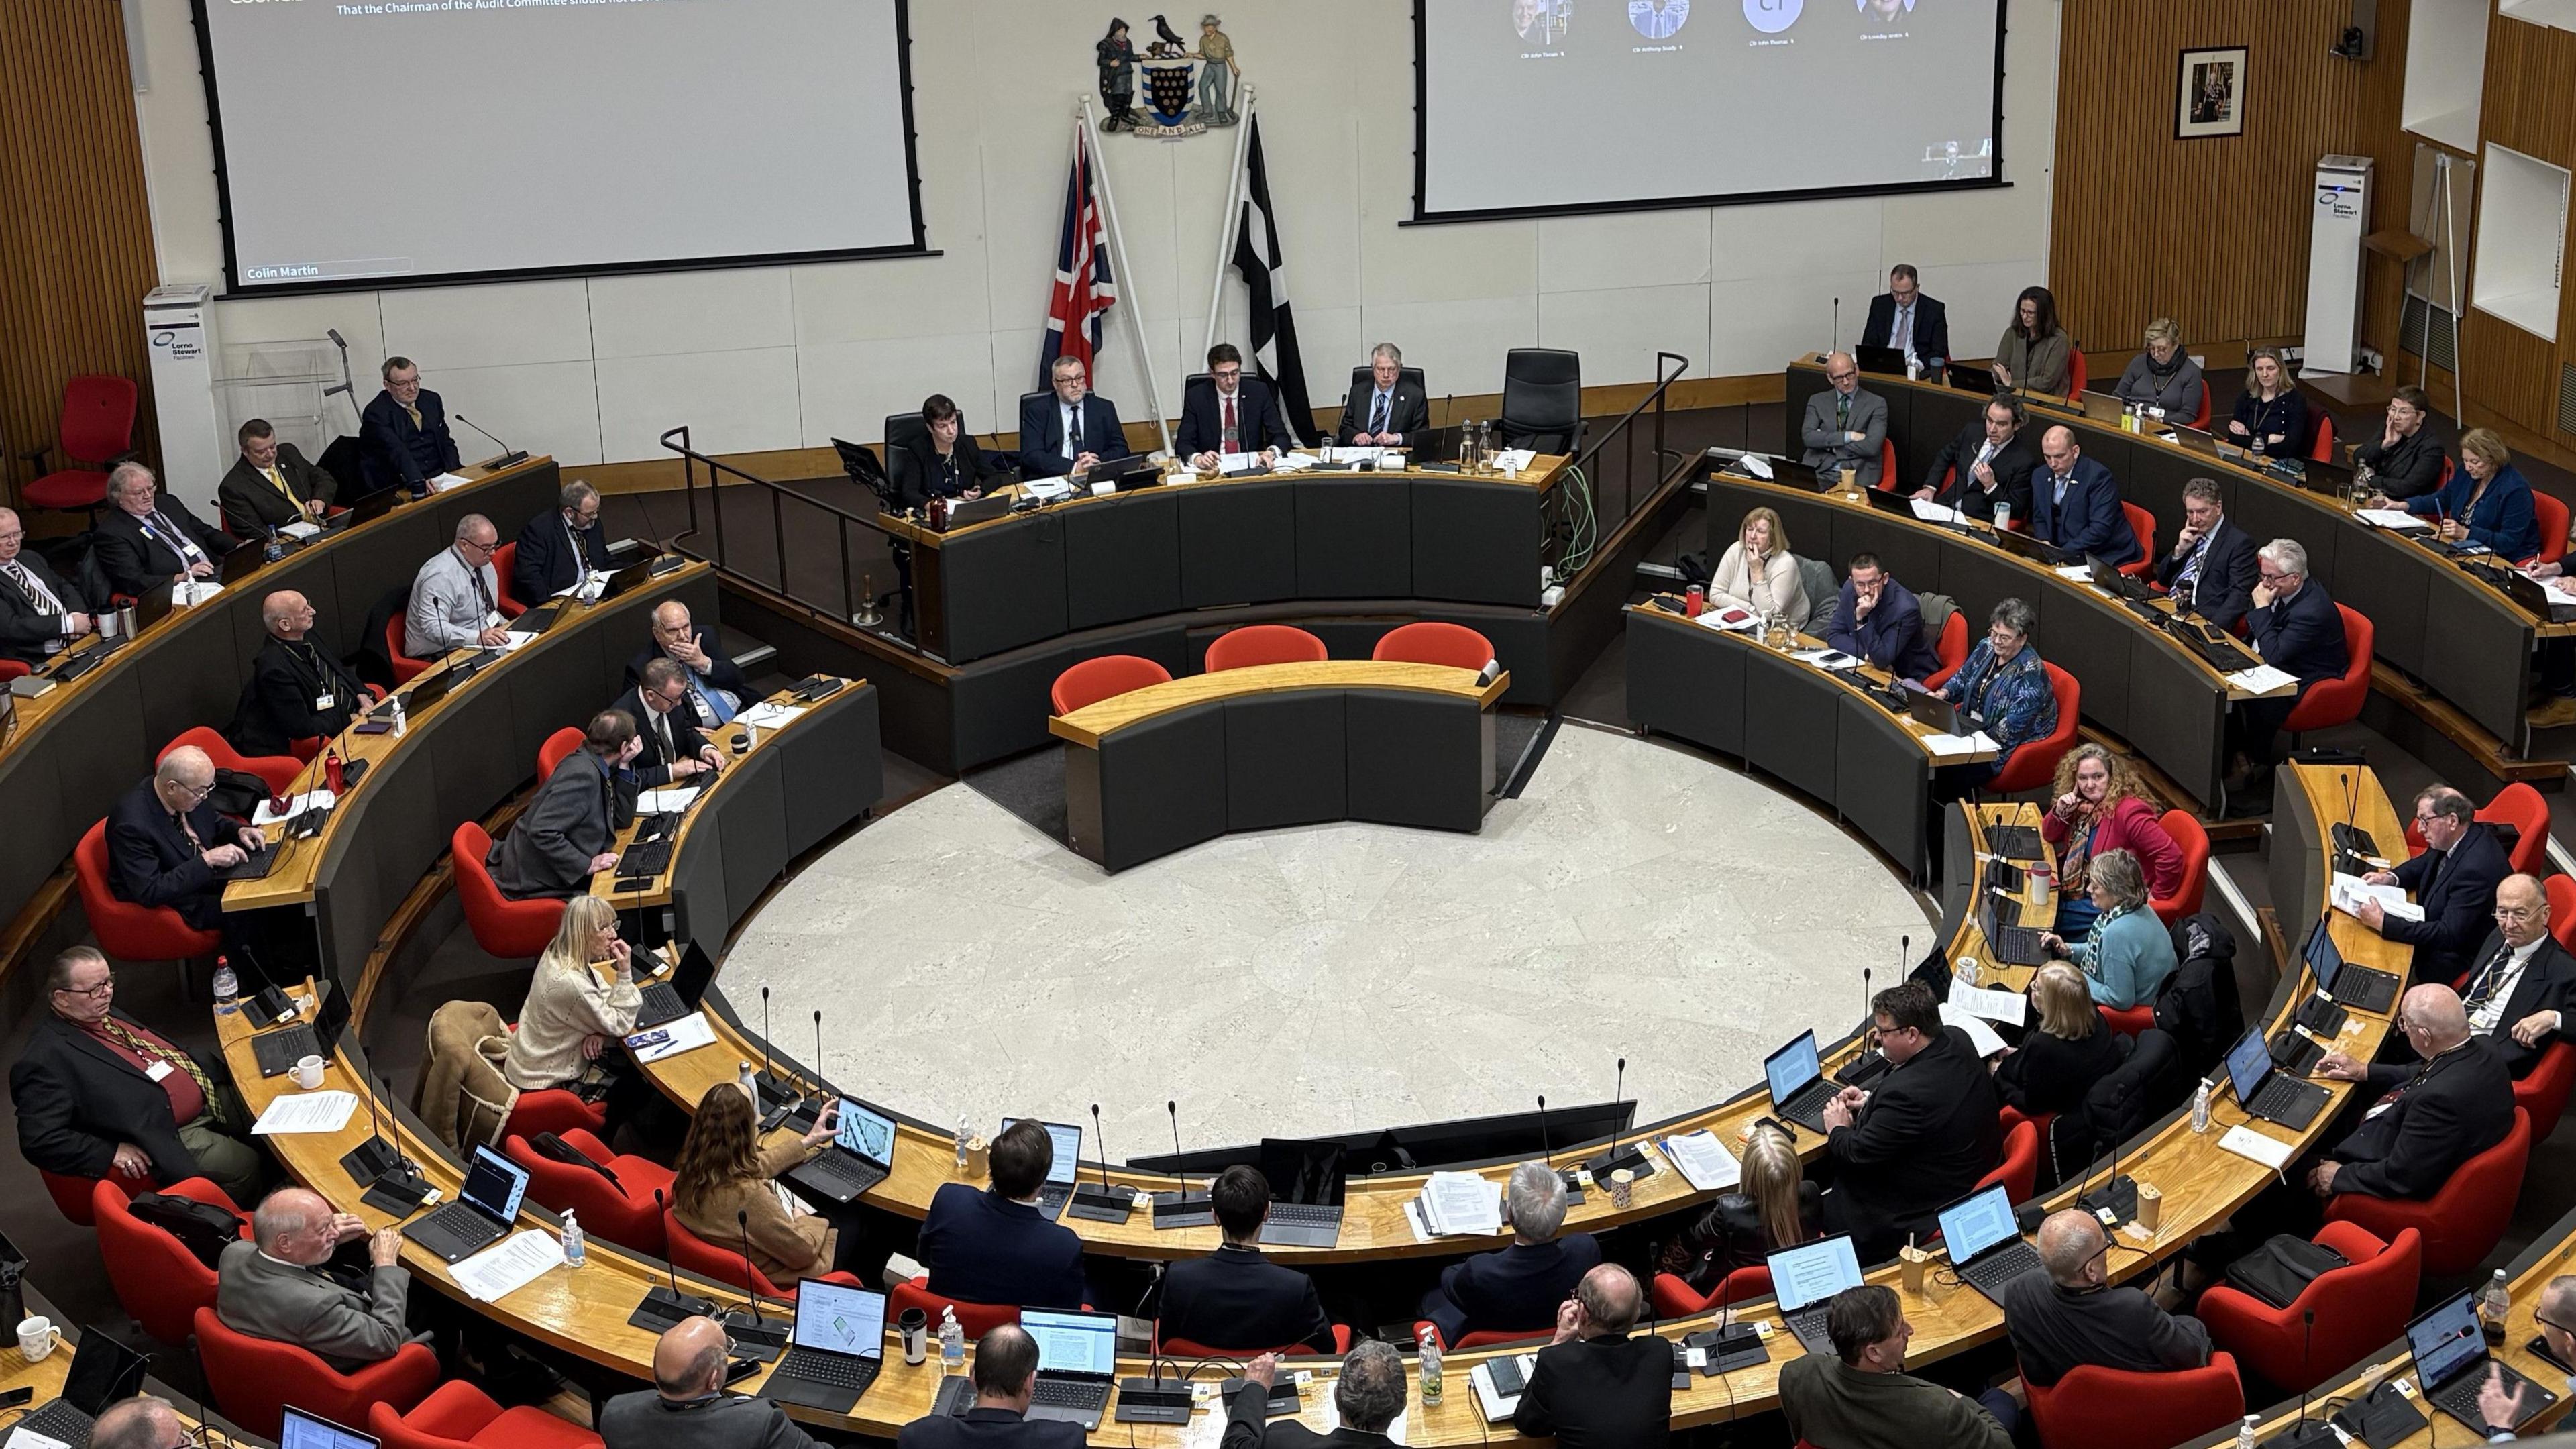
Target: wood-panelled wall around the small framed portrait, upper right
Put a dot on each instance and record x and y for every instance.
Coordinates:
(2211, 233)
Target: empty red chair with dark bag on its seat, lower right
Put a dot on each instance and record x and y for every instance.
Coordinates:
(2356, 1311)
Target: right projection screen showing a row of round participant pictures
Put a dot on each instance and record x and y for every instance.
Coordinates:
(1534, 107)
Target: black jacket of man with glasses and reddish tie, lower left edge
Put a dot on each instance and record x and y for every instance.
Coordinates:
(79, 1102)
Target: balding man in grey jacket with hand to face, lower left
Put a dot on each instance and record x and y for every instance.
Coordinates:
(269, 1288)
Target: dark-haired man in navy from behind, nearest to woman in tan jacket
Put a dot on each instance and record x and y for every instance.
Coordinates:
(993, 1244)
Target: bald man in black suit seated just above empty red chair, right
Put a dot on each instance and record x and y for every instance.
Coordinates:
(2433, 1115)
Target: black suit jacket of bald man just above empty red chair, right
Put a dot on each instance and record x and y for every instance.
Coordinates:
(2438, 1118)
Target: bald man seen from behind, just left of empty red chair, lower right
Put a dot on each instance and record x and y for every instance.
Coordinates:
(2070, 1316)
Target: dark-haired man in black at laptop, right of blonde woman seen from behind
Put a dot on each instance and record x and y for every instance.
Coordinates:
(1920, 1138)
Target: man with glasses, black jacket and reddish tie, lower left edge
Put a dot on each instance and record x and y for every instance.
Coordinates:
(102, 1097)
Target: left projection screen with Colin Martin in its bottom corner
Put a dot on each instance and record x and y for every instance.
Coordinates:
(385, 143)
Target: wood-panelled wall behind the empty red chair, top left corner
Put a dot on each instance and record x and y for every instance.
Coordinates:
(76, 228)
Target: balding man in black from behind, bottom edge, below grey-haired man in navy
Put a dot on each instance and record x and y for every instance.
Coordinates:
(1596, 1386)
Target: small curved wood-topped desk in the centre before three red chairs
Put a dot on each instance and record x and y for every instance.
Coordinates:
(1184, 762)
